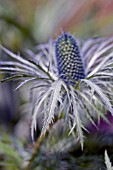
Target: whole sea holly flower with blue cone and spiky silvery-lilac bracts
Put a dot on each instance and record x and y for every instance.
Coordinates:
(77, 97)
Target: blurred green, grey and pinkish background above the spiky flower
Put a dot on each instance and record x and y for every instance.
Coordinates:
(25, 23)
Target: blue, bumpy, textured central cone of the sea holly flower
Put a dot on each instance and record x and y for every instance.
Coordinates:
(70, 66)
